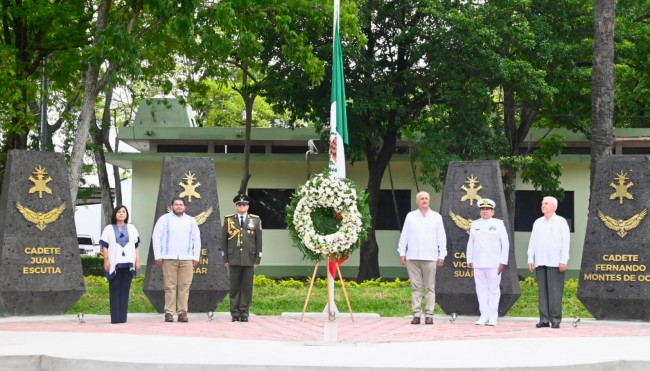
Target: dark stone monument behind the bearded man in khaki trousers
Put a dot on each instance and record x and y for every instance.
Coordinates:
(194, 180)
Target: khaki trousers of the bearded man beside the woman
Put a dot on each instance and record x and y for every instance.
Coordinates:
(177, 278)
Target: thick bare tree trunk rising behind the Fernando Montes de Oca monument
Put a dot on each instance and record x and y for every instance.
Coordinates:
(602, 83)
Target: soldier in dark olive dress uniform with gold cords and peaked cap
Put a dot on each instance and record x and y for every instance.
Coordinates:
(242, 252)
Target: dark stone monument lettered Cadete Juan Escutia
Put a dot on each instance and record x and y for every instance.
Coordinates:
(40, 267)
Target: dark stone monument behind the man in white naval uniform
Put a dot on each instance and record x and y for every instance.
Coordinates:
(466, 183)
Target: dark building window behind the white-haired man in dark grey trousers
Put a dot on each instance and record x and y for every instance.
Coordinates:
(528, 209)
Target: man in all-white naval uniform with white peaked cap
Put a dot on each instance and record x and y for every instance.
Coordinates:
(487, 255)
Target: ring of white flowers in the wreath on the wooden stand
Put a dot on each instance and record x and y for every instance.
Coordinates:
(328, 192)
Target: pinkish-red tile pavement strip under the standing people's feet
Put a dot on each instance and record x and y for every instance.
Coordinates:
(369, 330)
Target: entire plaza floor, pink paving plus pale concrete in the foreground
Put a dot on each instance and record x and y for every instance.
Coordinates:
(285, 342)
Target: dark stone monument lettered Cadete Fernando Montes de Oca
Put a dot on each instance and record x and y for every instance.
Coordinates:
(614, 274)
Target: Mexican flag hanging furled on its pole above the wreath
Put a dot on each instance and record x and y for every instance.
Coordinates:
(338, 117)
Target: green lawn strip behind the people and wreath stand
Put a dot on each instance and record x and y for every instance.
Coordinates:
(388, 299)
